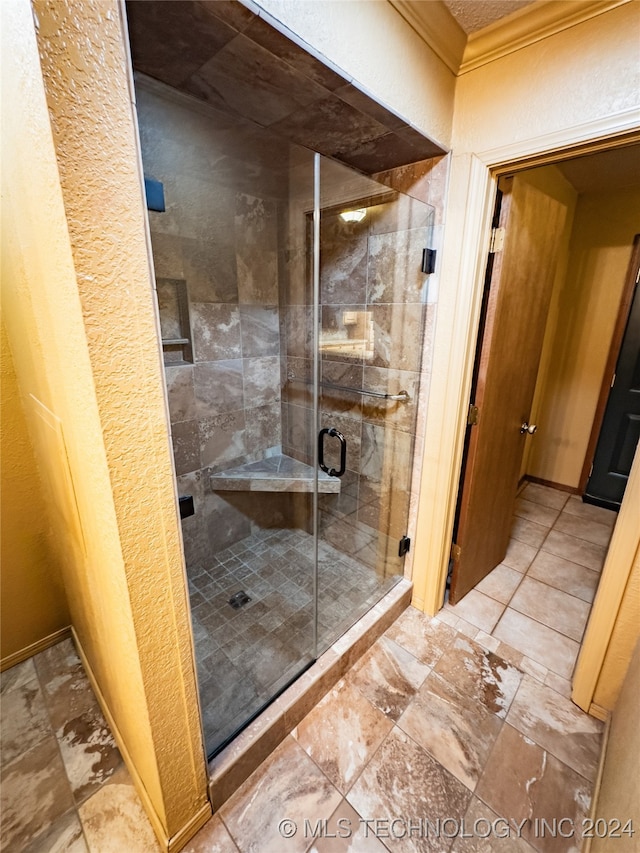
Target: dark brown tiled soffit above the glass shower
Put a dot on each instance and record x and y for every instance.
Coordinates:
(224, 54)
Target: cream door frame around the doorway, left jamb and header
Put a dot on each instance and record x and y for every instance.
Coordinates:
(471, 195)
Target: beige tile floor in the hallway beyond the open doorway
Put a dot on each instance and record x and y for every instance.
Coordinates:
(538, 600)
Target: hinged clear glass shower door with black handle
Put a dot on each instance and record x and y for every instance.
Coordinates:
(372, 317)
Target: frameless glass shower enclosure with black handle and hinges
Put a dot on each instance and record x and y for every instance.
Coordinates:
(292, 311)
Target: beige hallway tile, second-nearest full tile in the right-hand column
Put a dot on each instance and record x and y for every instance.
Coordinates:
(556, 609)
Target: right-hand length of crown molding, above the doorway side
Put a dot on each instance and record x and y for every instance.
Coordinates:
(527, 26)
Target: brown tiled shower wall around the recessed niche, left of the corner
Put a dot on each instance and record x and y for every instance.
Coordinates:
(219, 233)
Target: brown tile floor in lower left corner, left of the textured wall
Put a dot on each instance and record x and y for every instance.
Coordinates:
(61, 772)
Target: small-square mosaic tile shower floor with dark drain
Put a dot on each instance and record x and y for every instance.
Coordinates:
(244, 656)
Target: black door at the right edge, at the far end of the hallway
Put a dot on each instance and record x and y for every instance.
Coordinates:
(620, 428)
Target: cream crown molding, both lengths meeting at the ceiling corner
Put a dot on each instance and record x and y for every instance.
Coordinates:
(437, 27)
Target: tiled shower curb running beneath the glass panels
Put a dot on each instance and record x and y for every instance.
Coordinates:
(234, 762)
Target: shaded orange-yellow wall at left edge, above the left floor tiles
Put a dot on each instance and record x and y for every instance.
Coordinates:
(33, 600)
